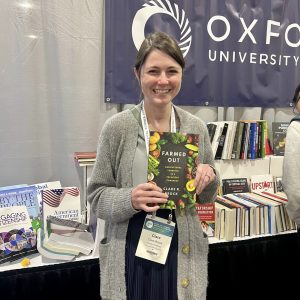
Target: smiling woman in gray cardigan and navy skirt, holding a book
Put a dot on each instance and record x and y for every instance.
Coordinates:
(120, 194)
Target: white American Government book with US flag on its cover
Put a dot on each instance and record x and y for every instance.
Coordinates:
(63, 203)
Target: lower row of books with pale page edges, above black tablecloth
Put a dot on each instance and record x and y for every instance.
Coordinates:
(246, 214)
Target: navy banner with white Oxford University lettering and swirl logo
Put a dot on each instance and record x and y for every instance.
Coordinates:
(238, 53)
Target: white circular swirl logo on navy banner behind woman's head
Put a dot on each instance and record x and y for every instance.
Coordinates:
(162, 7)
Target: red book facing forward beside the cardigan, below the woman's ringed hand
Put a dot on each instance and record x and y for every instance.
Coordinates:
(206, 214)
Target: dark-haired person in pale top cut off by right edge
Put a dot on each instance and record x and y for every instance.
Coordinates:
(291, 163)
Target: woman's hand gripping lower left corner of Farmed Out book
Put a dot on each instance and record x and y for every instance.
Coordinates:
(147, 197)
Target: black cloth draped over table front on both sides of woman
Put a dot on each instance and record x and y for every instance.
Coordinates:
(258, 268)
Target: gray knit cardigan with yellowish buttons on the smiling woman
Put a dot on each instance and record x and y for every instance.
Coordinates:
(109, 192)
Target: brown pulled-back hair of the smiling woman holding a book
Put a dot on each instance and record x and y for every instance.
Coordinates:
(158, 41)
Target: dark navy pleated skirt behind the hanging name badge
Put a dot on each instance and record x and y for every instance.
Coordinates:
(147, 280)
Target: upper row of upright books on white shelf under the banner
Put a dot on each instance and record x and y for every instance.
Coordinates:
(246, 139)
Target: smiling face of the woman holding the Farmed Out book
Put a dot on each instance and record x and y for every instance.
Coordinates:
(160, 78)
